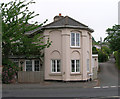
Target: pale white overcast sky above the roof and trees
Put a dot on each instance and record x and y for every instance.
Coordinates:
(97, 14)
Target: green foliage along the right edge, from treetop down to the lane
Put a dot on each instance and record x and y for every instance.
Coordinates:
(113, 39)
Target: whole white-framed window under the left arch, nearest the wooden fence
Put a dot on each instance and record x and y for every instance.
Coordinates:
(55, 66)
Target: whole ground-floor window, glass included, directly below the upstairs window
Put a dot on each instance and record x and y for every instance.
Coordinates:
(75, 66)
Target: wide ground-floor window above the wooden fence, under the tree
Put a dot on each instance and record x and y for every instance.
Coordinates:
(32, 65)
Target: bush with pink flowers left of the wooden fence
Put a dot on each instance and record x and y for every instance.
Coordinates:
(9, 71)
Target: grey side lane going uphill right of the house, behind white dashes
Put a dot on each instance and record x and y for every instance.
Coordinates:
(109, 73)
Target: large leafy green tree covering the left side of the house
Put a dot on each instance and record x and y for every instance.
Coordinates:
(15, 24)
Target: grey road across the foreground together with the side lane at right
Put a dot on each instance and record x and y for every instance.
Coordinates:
(108, 87)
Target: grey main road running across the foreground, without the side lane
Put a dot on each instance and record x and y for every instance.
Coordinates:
(63, 92)
